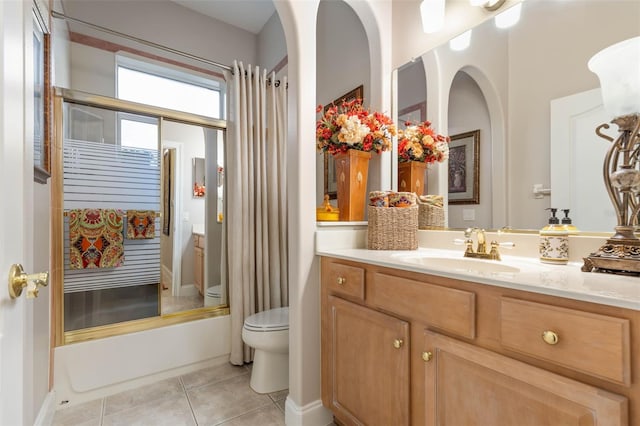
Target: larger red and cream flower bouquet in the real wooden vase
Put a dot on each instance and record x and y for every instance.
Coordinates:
(351, 126)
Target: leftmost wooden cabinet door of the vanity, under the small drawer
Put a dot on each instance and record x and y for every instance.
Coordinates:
(367, 381)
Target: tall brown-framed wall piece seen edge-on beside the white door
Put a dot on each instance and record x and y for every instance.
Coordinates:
(41, 94)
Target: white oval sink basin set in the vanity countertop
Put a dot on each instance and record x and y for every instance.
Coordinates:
(459, 264)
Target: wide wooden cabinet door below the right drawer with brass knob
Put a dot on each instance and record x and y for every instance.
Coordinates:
(467, 385)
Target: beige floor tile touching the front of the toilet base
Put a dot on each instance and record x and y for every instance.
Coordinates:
(224, 400)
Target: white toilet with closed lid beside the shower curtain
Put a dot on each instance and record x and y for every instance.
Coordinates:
(268, 333)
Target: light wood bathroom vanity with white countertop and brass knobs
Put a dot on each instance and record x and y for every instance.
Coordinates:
(407, 339)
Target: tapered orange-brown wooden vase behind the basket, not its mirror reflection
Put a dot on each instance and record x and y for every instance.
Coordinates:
(352, 168)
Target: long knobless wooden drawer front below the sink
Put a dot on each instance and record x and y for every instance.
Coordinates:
(443, 308)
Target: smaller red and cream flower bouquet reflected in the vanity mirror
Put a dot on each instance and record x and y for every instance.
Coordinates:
(419, 142)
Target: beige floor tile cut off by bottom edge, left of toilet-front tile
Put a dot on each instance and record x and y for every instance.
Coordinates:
(170, 411)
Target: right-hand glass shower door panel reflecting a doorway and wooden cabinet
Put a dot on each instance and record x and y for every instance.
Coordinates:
(192, 252)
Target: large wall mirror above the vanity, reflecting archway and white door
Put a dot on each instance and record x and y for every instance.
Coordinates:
(514, 87)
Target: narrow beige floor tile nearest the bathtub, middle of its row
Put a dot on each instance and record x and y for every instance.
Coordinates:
(142, 395)
